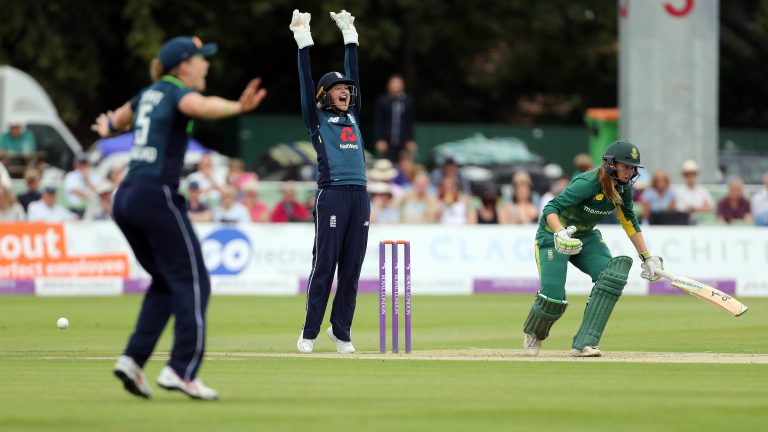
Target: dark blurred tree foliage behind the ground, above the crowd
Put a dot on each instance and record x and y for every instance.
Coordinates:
(491, 60)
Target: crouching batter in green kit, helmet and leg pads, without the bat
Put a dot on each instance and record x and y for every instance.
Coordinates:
(587, 200)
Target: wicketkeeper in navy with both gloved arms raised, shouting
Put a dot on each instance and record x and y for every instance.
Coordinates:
(342, 208)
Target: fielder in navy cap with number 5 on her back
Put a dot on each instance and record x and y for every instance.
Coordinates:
(153, 215)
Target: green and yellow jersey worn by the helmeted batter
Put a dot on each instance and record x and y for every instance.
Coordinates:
(583, 204)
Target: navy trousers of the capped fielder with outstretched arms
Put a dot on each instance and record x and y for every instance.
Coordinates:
(153, 218)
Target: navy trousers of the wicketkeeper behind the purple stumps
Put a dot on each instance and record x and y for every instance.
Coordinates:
(342, 216)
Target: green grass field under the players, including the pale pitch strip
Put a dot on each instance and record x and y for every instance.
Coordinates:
(61, 380)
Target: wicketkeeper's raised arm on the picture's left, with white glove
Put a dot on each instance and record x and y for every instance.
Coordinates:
(300, 28)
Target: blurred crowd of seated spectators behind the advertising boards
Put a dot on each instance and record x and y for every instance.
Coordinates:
(405, 193)
